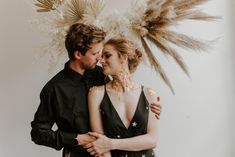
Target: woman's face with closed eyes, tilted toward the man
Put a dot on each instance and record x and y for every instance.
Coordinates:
(111, 62)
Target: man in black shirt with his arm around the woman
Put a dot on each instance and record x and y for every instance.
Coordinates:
(63, 100)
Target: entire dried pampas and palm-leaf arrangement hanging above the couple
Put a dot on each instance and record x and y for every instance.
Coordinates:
(149, 22)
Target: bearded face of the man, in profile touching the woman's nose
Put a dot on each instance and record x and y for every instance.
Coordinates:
(92, 56)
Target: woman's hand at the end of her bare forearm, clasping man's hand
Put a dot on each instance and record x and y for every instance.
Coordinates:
(101, 145)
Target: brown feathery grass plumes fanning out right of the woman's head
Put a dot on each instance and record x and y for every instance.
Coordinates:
(159, 15)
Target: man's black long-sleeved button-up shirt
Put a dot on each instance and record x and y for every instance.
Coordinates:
(63, 100)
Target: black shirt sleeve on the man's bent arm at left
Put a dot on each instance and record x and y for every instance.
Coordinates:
(44, 119)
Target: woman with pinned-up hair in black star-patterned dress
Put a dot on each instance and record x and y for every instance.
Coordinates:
(120, 109)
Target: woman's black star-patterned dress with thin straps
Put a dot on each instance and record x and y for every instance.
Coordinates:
(114, 127)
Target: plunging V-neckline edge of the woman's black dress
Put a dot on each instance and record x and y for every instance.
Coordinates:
(117, 114)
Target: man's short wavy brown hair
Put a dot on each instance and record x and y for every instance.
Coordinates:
(80, 37)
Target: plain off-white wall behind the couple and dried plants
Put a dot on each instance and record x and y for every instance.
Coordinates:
(197, 121)
